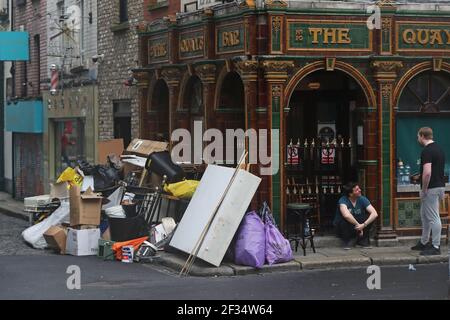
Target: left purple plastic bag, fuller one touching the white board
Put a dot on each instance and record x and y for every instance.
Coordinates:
(251, 242)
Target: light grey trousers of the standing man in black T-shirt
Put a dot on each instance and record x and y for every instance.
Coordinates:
(429, 213)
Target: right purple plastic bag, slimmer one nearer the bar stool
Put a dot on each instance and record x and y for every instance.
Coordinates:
(278, 249)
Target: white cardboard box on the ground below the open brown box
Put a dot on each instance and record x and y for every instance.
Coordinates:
(82, 242)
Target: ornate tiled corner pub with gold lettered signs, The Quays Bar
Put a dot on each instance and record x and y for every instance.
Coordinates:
(347, 99)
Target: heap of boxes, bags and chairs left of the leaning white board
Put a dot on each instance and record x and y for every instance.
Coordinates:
(113, 209)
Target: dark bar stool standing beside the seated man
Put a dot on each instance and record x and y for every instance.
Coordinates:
(298, 216)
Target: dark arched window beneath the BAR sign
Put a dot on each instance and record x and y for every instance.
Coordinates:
(231, 107)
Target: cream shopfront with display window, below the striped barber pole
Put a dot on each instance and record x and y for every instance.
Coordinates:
(70, 129)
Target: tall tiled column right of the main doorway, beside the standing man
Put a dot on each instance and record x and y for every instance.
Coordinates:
(385, 73)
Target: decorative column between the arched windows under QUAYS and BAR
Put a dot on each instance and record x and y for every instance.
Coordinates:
(207, 74)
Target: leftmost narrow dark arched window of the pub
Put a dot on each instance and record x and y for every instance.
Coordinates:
(159, 122)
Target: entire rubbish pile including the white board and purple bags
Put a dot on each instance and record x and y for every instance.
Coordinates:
(120, 209)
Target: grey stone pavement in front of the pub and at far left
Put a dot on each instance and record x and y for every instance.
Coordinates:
(327, 256)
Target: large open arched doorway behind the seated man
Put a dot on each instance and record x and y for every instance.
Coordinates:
(323, 140)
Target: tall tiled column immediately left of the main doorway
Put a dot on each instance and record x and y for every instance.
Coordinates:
(276, 74)
